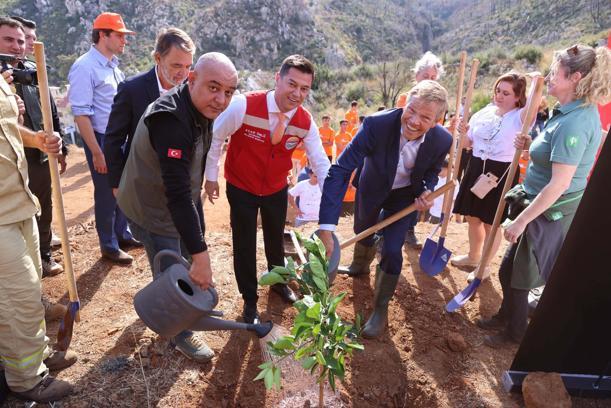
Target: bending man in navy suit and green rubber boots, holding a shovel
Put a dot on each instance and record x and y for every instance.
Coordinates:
(398, 154)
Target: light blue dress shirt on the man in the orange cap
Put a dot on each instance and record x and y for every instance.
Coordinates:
(93, 82)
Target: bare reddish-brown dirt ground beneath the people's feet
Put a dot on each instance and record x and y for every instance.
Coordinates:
(124, 364)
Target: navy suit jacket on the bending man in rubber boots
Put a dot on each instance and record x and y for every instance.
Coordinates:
(374, 152)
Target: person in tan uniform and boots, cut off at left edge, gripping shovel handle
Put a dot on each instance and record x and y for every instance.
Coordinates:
(24, 353)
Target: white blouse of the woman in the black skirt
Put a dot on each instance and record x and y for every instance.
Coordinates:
(492, 135)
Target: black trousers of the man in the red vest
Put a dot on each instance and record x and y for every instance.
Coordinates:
(244, 210)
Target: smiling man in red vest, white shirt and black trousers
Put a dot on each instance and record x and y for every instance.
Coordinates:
(264, 128)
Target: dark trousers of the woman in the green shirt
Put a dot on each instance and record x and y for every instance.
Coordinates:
(514, 308)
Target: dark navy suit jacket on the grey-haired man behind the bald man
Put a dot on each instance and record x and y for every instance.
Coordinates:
(133, 96)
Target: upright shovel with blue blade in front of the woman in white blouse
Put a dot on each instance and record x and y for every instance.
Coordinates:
(434, 256)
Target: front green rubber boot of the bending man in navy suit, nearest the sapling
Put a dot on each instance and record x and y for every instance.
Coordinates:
(384, 290)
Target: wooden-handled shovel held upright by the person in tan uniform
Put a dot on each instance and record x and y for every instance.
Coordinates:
(64, 335)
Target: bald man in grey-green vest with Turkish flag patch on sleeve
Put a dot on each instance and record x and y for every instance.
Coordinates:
(161, 184)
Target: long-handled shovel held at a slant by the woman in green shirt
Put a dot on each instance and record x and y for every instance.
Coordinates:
(532, 106)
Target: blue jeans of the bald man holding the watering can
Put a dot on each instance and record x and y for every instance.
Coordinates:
(153, 244)
